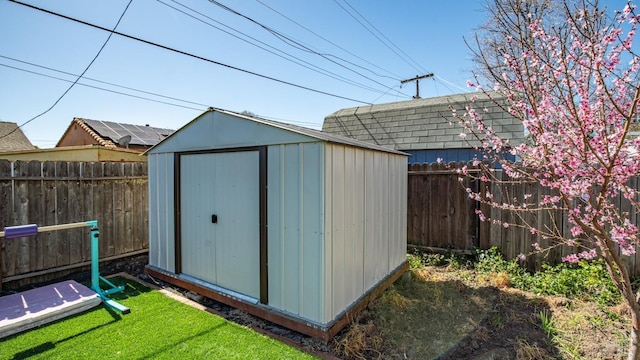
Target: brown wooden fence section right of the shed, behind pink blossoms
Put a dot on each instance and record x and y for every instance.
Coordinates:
(442, 216)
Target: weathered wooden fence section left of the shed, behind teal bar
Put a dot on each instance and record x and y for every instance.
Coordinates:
(52, 193)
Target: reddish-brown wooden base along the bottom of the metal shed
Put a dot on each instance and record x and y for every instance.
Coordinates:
(266, 313)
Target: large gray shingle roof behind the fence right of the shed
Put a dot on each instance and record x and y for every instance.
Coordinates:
(420, 123)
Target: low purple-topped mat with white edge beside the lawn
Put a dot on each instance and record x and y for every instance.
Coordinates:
(25, 310)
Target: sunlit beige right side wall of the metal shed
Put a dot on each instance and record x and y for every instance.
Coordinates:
(365, 222)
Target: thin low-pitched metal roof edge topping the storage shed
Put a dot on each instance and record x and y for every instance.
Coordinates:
(312, 133)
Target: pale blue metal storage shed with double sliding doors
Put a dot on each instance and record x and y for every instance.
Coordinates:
(291, 224)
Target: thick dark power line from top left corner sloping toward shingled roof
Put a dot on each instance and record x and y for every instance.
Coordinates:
(188, 54)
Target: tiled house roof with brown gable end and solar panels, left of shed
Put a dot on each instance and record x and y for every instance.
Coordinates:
(108, 134)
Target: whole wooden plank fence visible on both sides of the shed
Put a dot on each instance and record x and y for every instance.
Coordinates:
(440, 215)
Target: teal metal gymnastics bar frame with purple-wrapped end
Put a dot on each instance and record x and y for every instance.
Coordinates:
(33, 229)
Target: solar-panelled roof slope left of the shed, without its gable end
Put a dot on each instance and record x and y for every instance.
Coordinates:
(140, 135)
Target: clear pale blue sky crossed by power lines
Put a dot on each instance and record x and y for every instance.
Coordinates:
(427, 32)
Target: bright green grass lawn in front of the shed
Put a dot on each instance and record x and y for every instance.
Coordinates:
(158, 327)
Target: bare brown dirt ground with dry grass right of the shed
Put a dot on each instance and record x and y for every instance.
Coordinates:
(440, 314)
